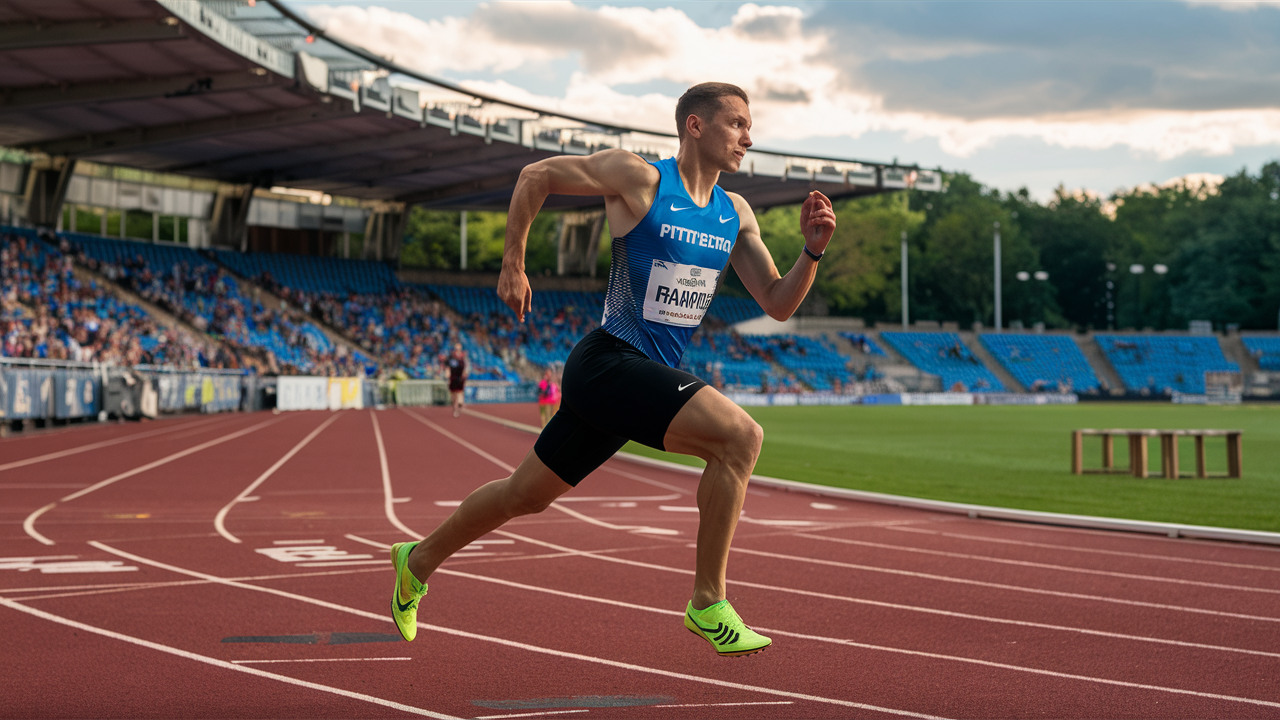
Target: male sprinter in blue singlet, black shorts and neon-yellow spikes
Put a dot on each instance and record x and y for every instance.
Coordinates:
(674, 230)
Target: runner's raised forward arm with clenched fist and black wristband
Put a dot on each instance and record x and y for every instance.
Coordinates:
(781, 295)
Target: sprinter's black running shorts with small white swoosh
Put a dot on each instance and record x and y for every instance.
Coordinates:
(612, 393)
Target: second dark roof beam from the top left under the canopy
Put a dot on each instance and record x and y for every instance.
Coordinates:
(177, 86)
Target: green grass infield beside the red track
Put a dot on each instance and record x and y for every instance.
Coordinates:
(1014, 457)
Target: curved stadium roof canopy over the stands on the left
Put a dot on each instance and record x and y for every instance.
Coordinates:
(249, 93)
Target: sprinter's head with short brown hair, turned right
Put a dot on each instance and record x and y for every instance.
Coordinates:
(716, 119)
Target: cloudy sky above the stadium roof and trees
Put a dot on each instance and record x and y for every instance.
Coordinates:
(1091, 95)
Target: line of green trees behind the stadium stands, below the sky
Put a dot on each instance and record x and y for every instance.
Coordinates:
(1219, 250)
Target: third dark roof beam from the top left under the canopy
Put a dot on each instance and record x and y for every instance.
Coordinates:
(136, 139)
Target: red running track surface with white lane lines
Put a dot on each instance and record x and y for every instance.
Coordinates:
(875, 610)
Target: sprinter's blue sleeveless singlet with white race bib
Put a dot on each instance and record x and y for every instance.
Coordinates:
(665, 272)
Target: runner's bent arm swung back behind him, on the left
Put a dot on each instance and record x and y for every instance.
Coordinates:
(627, 183)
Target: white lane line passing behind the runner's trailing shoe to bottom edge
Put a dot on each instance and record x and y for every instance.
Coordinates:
(515, 645)
